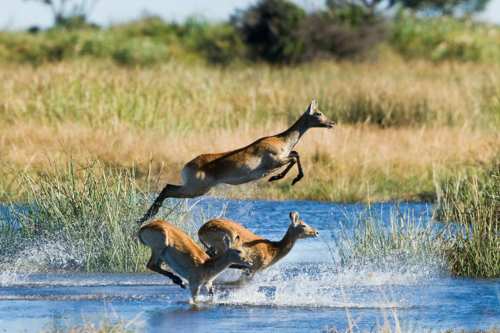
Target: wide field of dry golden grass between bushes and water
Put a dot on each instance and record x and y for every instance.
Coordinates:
(400, 124)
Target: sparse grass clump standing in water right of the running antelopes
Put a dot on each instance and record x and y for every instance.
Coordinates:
(405, 241)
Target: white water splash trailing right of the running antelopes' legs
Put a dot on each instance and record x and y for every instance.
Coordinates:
(326, 285)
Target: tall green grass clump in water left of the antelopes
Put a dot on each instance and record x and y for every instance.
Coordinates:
(93, 213)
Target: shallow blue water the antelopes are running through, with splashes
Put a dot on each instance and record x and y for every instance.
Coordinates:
(306, 291)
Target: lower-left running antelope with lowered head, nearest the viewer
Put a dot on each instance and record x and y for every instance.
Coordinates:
(175, 248)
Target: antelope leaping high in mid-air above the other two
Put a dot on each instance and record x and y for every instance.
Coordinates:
(257, 160)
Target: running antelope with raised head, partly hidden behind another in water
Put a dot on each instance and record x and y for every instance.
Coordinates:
(262, 252)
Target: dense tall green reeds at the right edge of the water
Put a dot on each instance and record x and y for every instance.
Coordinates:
(472, 200)
